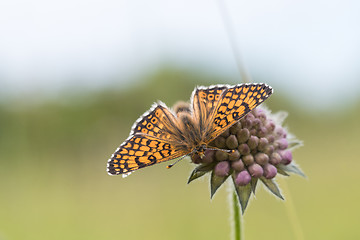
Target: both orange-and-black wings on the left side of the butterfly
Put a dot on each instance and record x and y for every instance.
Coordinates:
(152, 140)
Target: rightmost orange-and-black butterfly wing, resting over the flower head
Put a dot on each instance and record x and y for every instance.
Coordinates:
(234, 103)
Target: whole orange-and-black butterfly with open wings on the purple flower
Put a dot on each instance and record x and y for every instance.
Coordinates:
(160, 135)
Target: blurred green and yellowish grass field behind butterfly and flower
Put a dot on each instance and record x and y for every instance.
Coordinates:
(54, 185)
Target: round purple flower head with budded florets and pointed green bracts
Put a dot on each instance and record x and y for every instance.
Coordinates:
(261, 149)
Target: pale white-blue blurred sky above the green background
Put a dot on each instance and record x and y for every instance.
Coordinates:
(310, 49)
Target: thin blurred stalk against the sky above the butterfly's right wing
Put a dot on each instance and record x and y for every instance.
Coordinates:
(229, 28)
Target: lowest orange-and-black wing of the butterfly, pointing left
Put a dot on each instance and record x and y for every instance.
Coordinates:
(141, 151)
